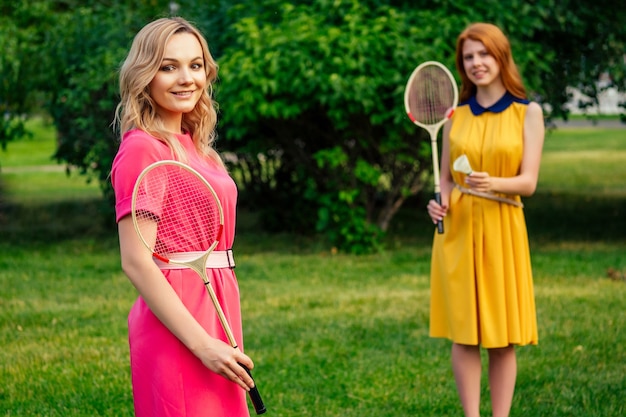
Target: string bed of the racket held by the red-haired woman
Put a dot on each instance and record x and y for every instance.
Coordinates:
(431, 95)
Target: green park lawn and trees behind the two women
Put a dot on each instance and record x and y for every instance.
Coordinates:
(308, 91)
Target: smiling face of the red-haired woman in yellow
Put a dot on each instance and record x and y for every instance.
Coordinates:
(480, 66)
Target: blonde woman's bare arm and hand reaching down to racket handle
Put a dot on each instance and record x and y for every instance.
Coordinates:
(148, 279)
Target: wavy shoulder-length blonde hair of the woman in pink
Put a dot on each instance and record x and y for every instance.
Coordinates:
(137, 109)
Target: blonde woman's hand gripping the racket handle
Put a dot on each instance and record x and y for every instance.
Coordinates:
(224, 360)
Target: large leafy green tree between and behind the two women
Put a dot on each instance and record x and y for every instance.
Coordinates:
(312, 98)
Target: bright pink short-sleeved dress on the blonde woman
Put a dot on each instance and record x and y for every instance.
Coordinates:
(168, 380)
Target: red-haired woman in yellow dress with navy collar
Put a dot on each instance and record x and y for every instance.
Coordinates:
(481, 278)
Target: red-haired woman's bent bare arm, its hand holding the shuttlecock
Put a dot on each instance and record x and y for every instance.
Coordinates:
(525, 183)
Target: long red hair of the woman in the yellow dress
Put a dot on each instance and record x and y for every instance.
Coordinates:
(498, 46)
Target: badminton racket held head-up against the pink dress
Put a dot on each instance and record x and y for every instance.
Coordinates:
(176, 211)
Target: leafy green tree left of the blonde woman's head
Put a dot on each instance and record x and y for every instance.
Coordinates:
(81, 46)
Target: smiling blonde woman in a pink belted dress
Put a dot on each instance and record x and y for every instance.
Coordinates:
(181, 361)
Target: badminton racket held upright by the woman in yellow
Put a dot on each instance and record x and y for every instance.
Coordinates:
(430, 98)
